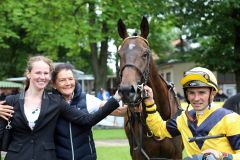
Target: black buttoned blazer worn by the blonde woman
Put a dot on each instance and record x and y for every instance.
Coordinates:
(38, 144)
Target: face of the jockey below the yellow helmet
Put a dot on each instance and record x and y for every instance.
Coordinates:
(199, 97)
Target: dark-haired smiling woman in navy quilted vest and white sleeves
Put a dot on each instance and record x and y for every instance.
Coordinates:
(74, 142)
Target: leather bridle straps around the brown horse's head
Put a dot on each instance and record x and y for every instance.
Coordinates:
(144, 74)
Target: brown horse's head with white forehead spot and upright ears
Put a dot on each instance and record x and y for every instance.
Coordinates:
(134, 62)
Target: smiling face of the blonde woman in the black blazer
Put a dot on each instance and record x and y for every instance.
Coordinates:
(39, 75)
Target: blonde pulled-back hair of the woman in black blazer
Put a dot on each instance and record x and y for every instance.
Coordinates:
(29, 66)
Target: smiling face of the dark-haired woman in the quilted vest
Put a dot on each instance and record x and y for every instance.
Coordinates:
(65, 83)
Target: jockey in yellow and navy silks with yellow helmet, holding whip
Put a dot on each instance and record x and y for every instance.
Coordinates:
(205, 130)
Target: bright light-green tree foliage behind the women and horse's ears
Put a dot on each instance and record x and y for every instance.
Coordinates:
(75, 31)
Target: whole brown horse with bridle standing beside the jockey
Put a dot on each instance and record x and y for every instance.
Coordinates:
(137, 68)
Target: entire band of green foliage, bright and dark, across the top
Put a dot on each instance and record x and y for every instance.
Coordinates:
(79, 31)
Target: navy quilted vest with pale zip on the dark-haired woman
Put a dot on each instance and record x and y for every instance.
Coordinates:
(74, 142)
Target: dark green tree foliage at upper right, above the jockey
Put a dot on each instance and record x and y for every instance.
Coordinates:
(216, 26)
